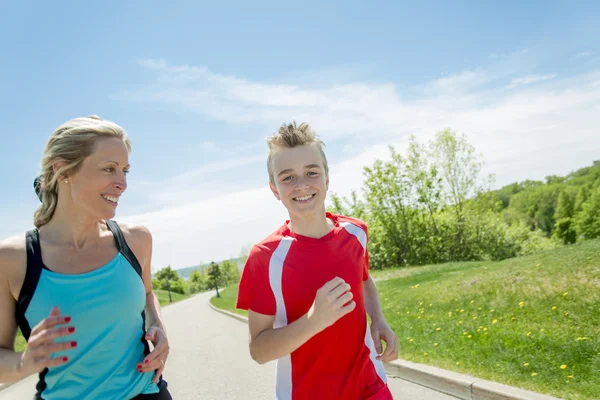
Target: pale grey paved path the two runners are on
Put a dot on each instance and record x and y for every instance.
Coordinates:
(218, 365)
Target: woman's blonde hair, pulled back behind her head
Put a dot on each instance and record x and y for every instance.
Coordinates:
(70, 143)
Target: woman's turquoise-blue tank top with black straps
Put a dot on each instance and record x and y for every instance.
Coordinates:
(107, 310)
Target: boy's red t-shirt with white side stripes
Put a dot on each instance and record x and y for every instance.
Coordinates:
(281, 278)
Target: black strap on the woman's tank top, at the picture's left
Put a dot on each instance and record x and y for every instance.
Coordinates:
(32, 277)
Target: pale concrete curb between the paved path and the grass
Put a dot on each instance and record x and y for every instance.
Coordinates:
(461, 386)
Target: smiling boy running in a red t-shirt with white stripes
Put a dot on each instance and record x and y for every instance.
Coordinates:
(307, 288)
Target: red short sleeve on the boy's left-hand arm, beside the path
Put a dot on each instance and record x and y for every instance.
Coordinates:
(255, 291)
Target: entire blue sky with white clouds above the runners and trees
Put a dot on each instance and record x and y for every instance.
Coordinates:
(198, 86)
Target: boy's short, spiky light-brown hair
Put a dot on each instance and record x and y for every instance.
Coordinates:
(291, 135)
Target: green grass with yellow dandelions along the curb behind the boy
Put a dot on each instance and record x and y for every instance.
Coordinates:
(531, 322)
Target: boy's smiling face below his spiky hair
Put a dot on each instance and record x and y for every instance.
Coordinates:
(300, 181)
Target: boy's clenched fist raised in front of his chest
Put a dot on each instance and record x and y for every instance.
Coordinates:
(332, 302)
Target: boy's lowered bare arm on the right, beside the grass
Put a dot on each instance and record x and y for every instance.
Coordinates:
(380, 330)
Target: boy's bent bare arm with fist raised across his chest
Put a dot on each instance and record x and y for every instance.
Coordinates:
(333, 301)
